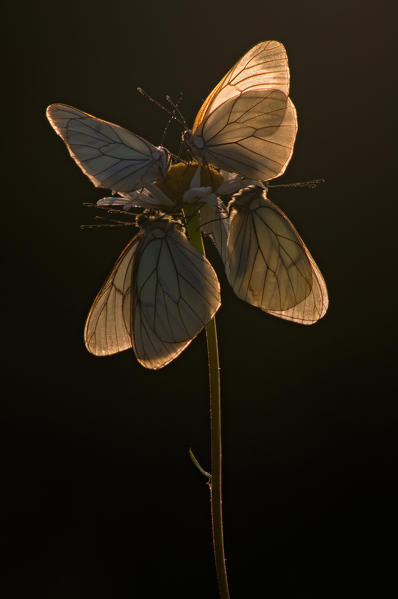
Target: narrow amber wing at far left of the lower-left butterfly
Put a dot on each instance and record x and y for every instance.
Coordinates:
(108, 325)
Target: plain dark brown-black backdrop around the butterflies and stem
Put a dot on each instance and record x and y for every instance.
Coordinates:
(101, 497)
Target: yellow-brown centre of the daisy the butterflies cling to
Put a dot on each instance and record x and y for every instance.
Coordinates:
(179, 178)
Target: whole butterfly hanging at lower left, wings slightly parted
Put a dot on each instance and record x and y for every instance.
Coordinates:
(158, 297)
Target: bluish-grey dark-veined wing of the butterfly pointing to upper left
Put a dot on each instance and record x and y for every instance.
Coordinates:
(111, 156)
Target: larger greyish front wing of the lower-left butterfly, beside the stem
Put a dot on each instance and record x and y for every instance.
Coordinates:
(176, 293)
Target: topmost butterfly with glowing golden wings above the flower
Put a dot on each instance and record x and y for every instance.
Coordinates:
(248, 123)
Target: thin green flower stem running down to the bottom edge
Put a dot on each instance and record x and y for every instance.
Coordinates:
(195, 237)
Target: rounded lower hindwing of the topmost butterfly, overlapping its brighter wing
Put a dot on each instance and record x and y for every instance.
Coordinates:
(251, 134)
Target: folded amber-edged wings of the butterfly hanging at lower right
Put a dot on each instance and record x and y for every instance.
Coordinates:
(269, 265)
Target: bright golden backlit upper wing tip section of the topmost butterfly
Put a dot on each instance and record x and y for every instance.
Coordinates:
(263, 67)
